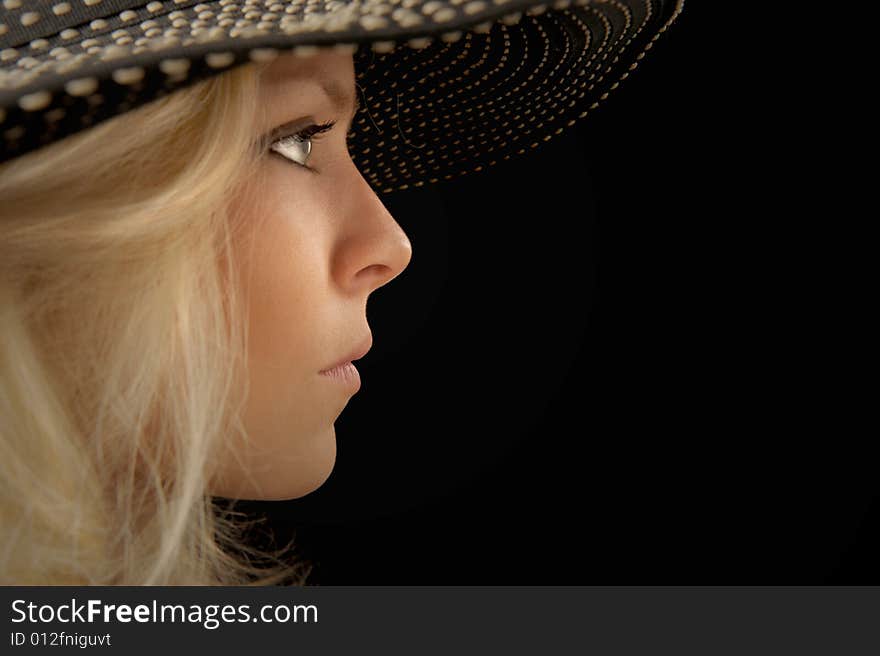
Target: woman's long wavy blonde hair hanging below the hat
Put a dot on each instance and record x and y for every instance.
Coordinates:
(122, 347)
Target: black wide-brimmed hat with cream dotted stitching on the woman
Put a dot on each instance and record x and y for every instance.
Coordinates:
(449, 86)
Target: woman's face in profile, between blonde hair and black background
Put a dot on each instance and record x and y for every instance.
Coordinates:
(308, 259)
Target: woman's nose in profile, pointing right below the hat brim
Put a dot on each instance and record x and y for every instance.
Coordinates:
(374, 248)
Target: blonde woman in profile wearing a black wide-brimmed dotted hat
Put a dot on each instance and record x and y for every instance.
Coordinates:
(188, 241)
